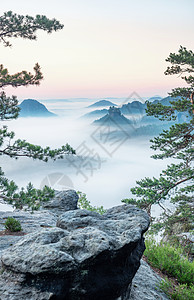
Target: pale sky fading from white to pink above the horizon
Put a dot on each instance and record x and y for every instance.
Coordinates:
(108, 48)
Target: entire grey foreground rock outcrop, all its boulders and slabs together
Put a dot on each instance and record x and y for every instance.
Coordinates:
(38, 277)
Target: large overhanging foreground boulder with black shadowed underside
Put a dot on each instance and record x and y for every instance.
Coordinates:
(87, 256)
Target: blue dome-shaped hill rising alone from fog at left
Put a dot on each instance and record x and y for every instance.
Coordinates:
(33, 108)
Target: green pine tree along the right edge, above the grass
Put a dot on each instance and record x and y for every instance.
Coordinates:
(176, 182)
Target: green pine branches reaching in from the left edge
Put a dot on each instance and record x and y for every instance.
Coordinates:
(14, 26)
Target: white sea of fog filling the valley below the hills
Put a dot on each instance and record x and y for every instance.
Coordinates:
(104, 170)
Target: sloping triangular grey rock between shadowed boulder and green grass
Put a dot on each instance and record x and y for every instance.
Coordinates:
(145, 285)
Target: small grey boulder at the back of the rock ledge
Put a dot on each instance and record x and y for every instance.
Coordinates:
(63, 201)
